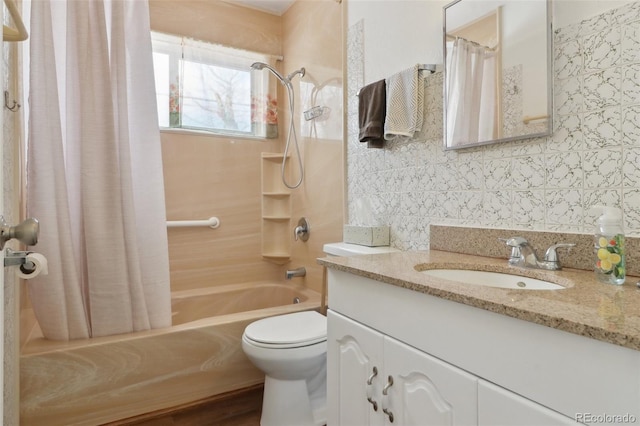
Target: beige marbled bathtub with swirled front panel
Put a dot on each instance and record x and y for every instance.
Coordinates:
(94, 381)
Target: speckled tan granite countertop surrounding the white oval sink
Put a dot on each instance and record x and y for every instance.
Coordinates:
(585, 307)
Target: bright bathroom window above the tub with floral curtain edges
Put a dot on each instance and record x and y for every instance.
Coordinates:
(203, 86)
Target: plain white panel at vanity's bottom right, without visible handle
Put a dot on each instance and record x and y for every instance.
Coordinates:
(500, 407)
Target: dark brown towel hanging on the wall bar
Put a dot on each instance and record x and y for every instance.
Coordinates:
(372, 108)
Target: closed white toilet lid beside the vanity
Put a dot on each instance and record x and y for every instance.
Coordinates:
(290, 330)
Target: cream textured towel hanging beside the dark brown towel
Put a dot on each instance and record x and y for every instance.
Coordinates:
(405, 104)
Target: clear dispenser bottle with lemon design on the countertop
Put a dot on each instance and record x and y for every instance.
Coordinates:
(609, 246)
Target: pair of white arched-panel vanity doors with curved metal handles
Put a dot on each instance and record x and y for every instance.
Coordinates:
(375, 380)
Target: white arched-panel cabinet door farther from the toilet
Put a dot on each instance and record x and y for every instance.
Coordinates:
(425, 390)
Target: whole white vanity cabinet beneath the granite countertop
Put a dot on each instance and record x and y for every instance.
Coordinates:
(456, 364)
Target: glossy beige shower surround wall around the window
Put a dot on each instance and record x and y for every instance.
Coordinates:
(207, 175)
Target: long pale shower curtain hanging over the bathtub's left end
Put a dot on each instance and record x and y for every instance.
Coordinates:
(94, 178)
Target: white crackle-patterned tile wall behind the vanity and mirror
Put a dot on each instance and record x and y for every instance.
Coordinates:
(592, 157)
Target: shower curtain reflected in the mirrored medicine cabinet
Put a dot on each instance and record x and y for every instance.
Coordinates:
(471, 93)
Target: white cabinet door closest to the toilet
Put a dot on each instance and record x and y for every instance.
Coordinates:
(353, 351)
